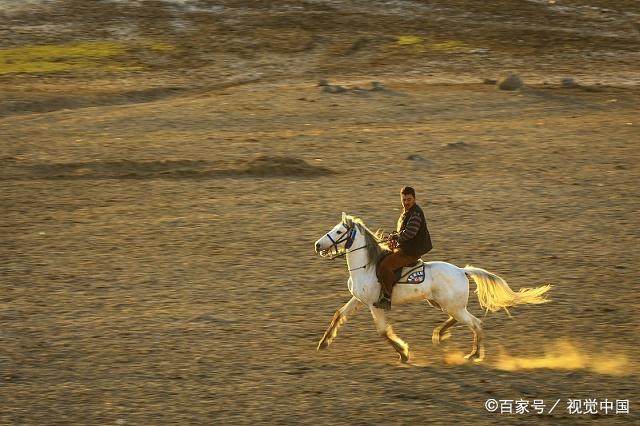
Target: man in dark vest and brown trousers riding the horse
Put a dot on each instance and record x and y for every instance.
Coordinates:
(407, 244)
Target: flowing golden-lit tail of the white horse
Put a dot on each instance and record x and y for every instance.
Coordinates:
(494, 293)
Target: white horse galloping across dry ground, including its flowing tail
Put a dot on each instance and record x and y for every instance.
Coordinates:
(444, 285)
